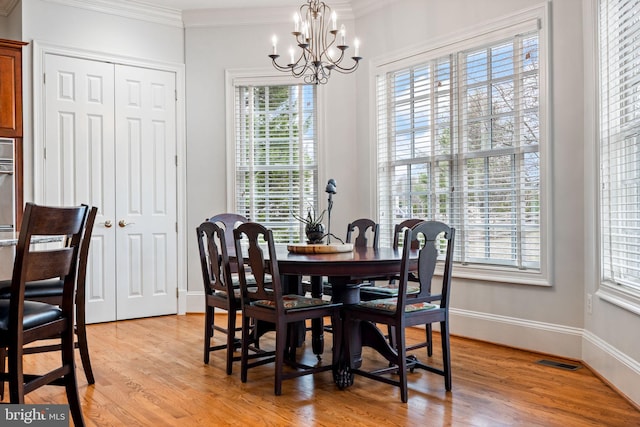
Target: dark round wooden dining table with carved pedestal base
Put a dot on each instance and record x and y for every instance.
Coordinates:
(345, 271)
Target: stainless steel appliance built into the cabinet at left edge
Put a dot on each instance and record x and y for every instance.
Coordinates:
(7, 203)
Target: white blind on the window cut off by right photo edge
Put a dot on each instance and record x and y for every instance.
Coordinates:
(620, 142)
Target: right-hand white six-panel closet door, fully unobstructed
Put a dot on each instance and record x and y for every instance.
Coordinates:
(146, 197)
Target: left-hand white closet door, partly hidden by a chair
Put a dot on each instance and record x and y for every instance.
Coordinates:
(79, 159)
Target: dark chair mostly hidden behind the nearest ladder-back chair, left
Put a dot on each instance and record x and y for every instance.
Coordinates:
(51, 292)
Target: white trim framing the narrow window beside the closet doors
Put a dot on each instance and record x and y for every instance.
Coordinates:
(262, 77)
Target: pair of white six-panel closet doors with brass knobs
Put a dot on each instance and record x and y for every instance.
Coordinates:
(110, 141)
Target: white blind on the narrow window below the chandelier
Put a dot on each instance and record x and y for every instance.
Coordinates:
(276, 170)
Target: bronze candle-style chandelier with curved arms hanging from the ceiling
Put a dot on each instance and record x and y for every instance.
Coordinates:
(322, 46)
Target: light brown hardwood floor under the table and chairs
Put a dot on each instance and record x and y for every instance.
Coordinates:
(149, 372)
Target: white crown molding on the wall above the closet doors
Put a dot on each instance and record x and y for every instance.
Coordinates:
(140, 10)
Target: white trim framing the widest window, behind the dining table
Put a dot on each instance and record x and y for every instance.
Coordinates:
(536, 17)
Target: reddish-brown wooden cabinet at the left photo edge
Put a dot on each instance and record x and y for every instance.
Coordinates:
(11, 108)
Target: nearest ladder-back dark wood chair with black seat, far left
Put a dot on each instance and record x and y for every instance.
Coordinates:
(23, 322)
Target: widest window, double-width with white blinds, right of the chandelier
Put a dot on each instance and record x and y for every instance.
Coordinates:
(459, 141)
